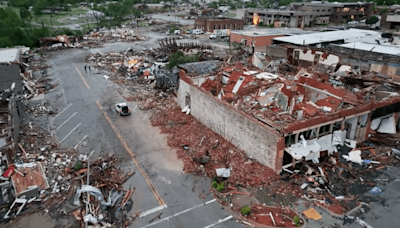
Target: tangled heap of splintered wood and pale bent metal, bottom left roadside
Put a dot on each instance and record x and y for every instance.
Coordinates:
(103, 198)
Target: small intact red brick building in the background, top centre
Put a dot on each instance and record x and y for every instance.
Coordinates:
(209, 25)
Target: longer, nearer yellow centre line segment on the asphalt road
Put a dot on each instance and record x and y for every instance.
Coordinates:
(158, 197)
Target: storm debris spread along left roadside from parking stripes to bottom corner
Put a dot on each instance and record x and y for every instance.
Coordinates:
(39, 174)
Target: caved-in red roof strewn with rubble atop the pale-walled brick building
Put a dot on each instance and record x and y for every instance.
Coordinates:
(292, 97)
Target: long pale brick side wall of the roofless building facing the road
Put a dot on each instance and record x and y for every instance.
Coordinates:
(257, 141)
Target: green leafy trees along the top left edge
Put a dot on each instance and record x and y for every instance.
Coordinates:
(17, 28)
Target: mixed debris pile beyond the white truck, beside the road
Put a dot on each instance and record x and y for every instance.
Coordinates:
(141, 72)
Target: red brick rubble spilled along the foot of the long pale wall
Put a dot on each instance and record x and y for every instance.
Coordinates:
(202, 150)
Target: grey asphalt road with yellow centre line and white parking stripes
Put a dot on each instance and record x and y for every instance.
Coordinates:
(83, 99)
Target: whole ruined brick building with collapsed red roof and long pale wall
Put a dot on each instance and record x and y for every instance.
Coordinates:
(295, 107)
